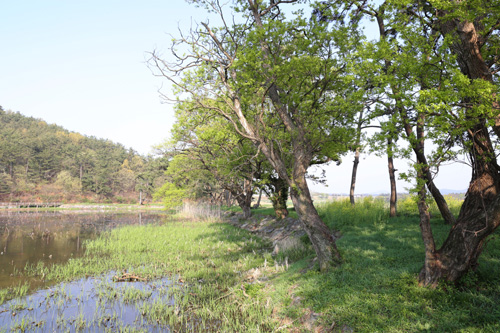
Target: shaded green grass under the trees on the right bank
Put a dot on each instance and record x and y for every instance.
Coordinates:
(375, 289)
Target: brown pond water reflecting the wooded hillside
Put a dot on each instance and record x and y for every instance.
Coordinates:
(54, 237)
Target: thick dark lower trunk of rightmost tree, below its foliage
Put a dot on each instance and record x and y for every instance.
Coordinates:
(478, 218)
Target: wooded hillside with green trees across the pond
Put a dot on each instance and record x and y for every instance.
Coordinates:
(45, 162)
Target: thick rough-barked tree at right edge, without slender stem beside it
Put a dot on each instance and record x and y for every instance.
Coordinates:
(470, 32)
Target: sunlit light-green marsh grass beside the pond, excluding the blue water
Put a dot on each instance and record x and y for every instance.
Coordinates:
(206, 261)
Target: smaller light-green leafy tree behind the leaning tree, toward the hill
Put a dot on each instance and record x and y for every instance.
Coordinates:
(213, 144)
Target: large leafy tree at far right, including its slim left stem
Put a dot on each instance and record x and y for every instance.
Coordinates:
(439, 60)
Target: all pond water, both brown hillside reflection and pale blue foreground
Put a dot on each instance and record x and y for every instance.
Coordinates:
(88, 304)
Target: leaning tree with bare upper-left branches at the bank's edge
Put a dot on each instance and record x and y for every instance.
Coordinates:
(280, 84)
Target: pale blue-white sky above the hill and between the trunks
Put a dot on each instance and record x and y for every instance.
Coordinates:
(83, 65)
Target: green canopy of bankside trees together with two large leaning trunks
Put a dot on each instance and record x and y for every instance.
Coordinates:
(300, 83)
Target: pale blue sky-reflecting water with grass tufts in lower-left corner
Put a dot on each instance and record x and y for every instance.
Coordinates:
(90, 304)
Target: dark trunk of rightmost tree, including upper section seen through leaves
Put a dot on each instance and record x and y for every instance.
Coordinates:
(480, 213)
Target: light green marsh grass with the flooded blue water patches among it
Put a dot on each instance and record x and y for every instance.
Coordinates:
(204, 263)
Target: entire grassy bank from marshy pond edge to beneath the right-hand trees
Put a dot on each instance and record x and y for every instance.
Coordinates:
(220, 278)
